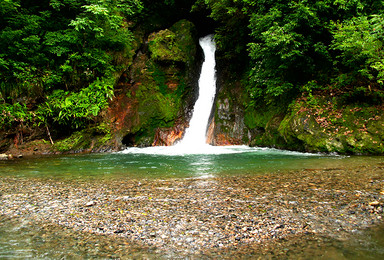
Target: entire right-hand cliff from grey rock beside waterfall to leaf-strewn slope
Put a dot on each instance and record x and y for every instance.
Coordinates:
(314, 124)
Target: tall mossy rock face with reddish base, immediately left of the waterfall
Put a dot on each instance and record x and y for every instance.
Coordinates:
(155, 96)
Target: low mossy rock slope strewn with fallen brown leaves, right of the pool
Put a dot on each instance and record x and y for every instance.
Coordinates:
(321, 128)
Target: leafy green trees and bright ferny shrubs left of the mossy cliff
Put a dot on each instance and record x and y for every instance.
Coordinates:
(57, 51)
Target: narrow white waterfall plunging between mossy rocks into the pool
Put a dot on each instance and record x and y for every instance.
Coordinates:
(195, 135)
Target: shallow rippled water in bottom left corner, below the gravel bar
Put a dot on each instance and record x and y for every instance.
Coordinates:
(27, 240)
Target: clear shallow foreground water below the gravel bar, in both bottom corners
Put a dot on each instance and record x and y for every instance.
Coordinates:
(29, 241)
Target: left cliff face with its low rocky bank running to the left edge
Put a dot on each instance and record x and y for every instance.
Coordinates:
(152, 103)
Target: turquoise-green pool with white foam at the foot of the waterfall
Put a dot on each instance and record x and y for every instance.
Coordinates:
(144, 164)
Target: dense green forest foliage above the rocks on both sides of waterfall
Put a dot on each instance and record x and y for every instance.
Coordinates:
(60, 60)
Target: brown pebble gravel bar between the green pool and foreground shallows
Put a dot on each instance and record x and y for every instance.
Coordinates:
(205, 216)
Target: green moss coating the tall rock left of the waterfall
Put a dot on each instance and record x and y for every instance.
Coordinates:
(162, 80)
